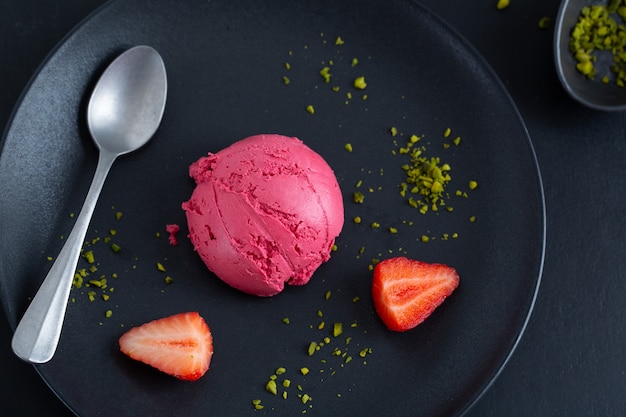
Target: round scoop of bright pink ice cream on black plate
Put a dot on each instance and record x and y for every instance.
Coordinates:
(265, 212)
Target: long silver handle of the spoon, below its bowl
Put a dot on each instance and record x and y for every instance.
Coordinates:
(37, 335)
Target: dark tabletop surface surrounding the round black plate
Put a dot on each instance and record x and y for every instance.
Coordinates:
(571, 360)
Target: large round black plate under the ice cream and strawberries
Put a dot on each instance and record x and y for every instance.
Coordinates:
(226, 62)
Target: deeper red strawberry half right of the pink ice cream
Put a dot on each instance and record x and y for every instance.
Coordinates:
(406, 291)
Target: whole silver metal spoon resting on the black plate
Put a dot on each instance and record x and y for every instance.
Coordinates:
(125, 110)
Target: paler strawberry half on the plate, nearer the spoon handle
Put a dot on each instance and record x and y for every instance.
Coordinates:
(180, 345)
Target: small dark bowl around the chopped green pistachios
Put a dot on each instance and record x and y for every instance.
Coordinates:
(594, 94)
